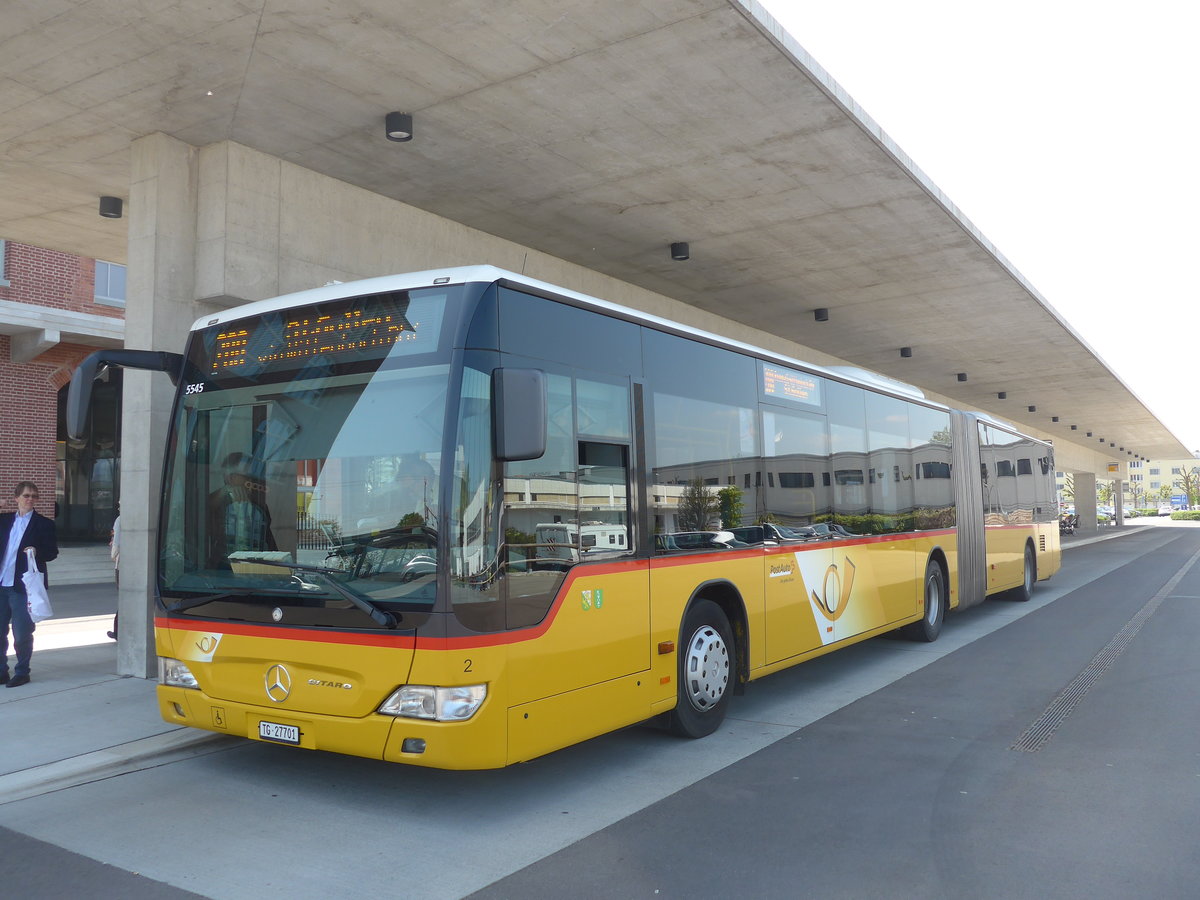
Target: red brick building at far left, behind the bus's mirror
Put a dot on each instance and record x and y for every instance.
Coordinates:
(55, 310)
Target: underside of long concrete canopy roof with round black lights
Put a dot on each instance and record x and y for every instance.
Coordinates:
(592, 133)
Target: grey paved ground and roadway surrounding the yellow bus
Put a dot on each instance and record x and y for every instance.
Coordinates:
(887, 770)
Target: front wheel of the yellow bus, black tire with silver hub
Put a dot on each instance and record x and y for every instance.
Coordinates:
(706, 671)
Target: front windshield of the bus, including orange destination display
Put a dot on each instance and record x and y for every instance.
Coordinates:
(303, 485)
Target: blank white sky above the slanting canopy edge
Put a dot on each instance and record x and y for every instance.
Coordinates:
(1066, 133)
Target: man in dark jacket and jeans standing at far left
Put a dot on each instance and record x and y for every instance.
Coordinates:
(19, 531)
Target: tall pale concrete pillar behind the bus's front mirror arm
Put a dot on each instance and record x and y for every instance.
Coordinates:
(158, 315)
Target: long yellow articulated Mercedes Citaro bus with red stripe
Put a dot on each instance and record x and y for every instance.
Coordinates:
(463, 519)
